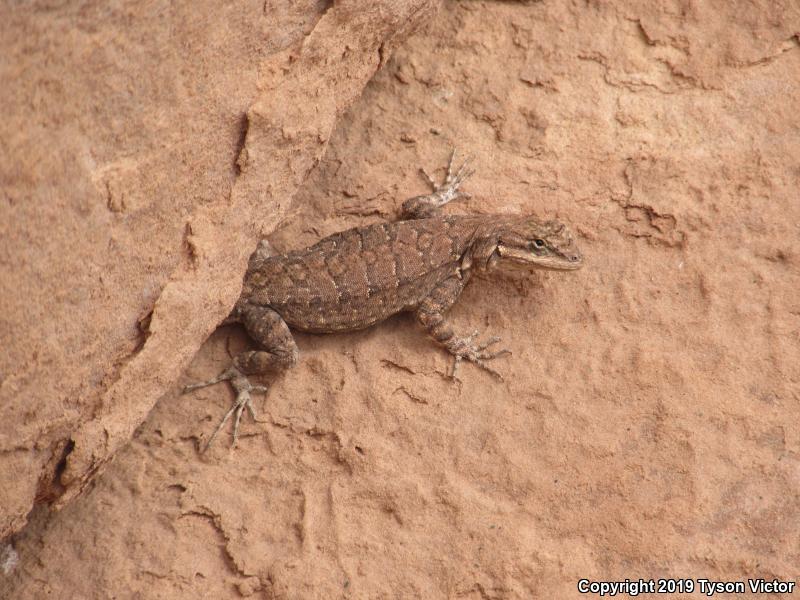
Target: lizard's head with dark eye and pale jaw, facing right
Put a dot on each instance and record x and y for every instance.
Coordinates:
(548, 245)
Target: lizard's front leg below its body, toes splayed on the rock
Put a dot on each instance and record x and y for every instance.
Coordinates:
(430, 313)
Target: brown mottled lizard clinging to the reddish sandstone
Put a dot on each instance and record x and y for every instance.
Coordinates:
(356, 278)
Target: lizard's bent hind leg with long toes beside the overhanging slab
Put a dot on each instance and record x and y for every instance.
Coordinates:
(278, 352)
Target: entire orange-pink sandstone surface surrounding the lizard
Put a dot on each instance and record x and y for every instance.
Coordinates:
(646, 426)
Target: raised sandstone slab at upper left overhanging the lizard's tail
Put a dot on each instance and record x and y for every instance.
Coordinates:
(162, 147)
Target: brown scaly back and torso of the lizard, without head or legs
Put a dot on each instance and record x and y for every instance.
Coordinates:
(361, 276)
